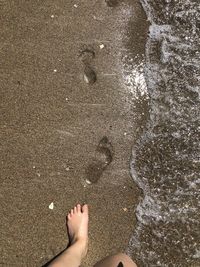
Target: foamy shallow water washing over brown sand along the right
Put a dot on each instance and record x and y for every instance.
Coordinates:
(166, 160)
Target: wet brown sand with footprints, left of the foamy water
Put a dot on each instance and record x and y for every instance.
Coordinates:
(52, 122)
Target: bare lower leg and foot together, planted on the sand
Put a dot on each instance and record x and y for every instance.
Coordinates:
(77, 225)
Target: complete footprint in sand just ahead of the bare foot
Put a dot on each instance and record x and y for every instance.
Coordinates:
(103, 157)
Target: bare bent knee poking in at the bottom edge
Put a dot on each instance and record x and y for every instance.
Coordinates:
(113, 261)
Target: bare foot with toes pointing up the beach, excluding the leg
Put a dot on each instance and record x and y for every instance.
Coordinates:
(77, 225)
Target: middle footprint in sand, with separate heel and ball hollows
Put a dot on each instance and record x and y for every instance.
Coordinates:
(87, 56)
